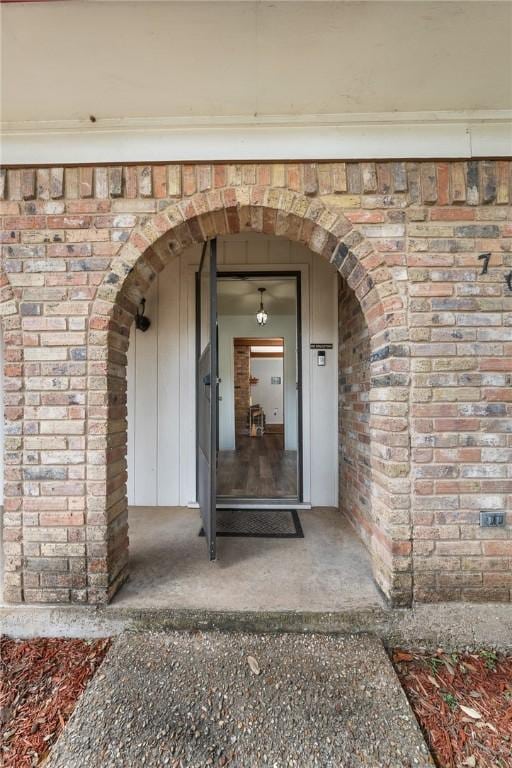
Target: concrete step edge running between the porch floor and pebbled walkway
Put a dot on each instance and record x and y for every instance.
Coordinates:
(452, 625)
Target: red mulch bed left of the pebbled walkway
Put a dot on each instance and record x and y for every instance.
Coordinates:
(40, 683)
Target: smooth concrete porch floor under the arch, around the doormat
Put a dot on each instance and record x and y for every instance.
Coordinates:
(328, 570)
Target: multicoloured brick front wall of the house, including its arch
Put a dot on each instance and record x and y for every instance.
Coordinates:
(80, 247)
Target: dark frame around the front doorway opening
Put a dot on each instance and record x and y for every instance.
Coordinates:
(298, 293)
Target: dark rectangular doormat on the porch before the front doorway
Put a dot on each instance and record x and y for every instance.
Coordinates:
(259, 523)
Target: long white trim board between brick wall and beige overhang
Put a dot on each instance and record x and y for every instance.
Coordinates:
(274, 137)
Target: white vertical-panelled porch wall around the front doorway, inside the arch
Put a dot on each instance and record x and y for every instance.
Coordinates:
(161, 376)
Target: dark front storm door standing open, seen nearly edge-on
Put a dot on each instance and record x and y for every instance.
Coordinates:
(207, 384)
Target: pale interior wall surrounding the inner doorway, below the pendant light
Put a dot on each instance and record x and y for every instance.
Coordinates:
(231, 326)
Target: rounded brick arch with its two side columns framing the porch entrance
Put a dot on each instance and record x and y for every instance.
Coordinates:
(149, 248)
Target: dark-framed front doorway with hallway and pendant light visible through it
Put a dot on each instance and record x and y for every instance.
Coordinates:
(259, 370)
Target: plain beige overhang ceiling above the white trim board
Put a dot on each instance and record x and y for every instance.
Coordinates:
(72, 60)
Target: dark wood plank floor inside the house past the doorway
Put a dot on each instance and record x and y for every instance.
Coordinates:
(259, 468)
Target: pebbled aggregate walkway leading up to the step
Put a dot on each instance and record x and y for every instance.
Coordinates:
(190, 700)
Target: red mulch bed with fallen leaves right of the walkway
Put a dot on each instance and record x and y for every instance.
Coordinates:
(439, 686)
